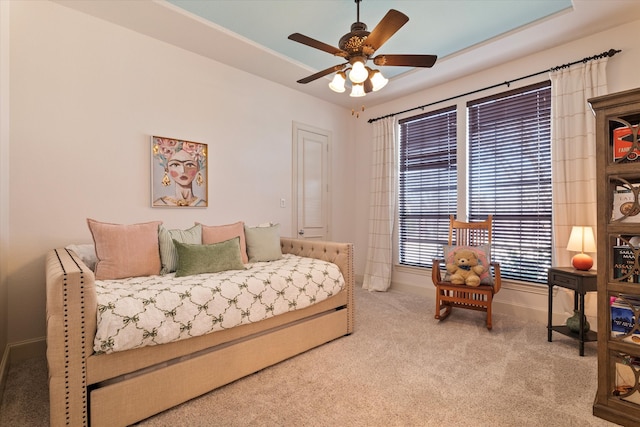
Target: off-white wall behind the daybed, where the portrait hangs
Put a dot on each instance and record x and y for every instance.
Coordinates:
(85, 97)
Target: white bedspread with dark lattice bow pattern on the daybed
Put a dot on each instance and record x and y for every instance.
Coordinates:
(151, 310)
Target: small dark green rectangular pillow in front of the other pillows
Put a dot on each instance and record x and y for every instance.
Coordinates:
(211, 258)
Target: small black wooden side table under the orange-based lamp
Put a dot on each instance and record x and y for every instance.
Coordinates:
(580, 282)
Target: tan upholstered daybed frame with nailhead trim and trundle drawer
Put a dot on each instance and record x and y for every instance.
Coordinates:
(121, 388)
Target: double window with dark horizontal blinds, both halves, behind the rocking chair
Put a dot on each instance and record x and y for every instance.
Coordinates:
(509, 177)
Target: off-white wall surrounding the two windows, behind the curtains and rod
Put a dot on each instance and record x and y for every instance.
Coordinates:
(622, 72)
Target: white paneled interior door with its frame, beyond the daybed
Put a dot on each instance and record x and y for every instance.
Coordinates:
(311, 185)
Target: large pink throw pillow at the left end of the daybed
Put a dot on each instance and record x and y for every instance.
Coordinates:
(125, 250)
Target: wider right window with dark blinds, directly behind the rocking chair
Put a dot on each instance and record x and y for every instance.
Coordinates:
(510, 177)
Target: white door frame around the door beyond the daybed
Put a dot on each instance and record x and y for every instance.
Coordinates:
(296, 128)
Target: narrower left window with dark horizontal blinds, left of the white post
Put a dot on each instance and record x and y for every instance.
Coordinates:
(427, 185)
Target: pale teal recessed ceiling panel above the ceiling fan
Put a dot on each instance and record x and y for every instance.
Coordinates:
(439, 27)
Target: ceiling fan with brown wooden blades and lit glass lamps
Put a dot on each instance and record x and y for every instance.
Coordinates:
(357, 47)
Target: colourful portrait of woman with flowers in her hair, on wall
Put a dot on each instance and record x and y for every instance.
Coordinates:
(178, 173)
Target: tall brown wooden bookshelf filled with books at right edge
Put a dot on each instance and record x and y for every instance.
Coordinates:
(618, 185)
